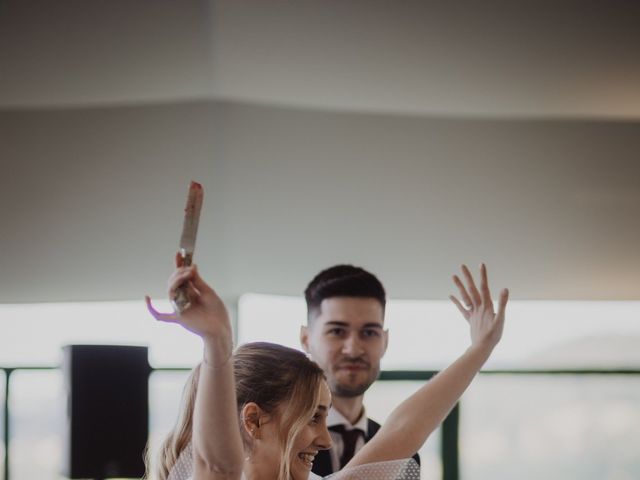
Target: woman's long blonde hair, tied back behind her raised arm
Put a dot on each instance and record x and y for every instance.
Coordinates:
(268, 375)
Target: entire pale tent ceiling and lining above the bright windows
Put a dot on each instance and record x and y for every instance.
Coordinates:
(96, 156)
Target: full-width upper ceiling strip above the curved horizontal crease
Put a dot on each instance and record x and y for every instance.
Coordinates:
(461, 58)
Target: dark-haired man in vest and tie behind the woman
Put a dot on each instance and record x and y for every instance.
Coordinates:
(345, 335)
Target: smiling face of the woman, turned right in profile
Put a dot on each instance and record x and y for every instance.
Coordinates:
(312, 438)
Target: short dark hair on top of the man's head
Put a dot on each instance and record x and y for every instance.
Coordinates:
(342, 281)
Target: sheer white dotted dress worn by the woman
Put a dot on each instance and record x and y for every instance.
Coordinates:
(405, 469)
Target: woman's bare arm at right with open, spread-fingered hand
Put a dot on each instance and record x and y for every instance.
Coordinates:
(409, 425)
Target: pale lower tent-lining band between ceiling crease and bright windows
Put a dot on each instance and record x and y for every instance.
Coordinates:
(92, 206)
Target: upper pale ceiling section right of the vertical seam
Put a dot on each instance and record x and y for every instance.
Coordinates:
(495, 58)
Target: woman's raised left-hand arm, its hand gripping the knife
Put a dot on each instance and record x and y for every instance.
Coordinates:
(217, 445)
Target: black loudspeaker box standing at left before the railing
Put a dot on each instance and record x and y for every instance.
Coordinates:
(107, 411)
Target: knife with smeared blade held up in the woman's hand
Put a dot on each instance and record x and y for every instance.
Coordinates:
(188, 239)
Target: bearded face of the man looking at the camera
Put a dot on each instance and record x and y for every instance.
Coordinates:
(347, 339)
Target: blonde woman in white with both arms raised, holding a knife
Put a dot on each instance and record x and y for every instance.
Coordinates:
(259, 413)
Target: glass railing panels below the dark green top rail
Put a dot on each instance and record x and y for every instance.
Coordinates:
(524, 424)
